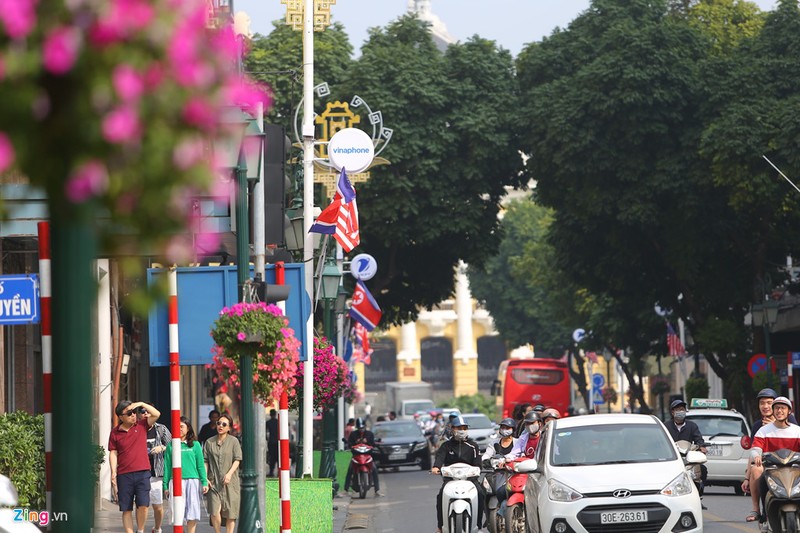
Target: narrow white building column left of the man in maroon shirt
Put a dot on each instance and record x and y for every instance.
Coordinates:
(104, 368)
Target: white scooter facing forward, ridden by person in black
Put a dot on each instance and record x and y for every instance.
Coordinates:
(460, 498)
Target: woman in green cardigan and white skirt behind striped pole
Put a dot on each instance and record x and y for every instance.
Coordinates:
(193, 472)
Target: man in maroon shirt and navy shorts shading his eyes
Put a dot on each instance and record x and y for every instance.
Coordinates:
(130, 462)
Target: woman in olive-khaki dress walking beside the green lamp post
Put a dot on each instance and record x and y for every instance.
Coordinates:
(223, 454)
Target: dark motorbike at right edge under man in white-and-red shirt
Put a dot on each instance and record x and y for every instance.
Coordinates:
(782, 500)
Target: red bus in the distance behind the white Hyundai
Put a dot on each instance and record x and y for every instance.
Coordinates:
(537, 380)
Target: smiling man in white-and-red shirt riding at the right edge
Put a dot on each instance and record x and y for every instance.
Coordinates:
(769, 438)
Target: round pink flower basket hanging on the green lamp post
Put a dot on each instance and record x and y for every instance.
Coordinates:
(261, 331)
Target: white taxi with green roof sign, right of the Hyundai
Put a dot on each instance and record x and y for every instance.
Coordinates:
(723, 429)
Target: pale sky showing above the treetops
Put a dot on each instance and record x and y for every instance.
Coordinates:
(511, 23)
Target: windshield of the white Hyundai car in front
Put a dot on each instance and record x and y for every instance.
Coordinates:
(611, 444)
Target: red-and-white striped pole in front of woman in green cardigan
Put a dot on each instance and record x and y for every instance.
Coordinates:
(178, 501)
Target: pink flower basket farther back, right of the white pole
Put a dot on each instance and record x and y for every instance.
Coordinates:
(332, 378)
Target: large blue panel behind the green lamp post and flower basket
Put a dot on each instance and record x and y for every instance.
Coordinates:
(202, 293)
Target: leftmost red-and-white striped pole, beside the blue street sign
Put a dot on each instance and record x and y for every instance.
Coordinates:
(45, 295)
